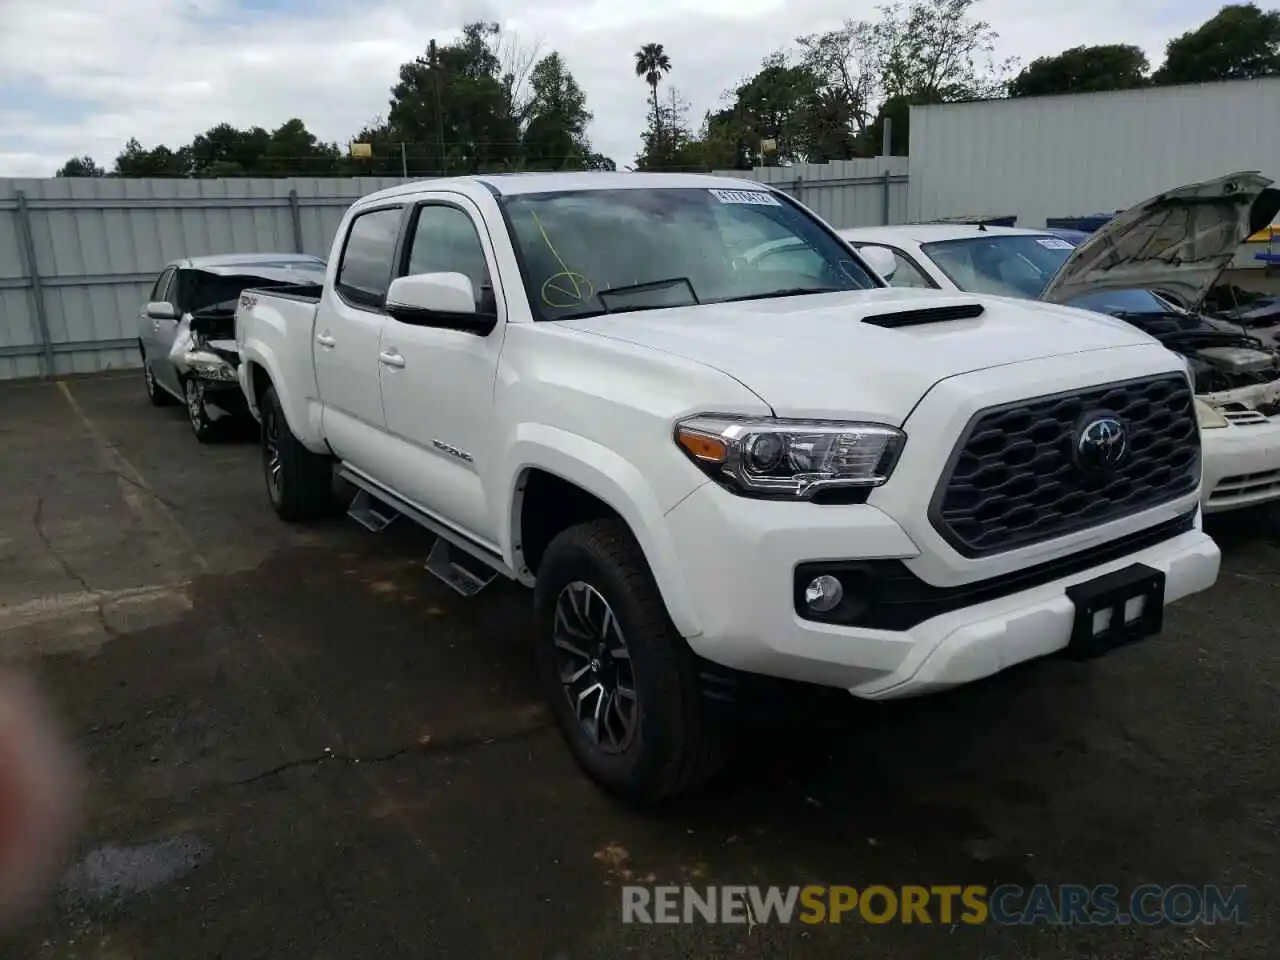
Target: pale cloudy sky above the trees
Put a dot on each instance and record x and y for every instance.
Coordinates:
(84, 76)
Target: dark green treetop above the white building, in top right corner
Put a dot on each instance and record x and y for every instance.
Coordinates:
(1241, 43)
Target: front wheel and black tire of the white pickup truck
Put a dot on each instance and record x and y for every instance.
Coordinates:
(675, 746)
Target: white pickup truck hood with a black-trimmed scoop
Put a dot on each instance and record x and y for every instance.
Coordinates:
(843, 355)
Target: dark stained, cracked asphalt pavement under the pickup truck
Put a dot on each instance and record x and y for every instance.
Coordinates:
(301, 746)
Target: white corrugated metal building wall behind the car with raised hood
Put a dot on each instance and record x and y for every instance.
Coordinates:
(1090, 153)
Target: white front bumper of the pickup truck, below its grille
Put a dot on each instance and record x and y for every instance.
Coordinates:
(739, 559)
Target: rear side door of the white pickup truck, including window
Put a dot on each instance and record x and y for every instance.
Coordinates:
(348, 331)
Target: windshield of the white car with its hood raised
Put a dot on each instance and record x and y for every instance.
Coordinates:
(1005, 267)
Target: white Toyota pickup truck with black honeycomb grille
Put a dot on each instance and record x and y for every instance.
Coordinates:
(716, 454)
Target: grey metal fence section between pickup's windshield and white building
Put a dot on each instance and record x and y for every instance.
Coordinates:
(867, 193)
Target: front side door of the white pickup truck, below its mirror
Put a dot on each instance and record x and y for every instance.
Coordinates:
(438, 394)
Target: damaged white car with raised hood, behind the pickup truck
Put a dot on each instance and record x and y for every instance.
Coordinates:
(1151, 267)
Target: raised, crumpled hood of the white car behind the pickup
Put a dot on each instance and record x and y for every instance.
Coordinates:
(1178, 243)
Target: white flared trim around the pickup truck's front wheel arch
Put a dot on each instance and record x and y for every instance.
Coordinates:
(615, 481)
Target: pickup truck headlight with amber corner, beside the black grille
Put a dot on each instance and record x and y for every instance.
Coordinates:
(790, 459)
